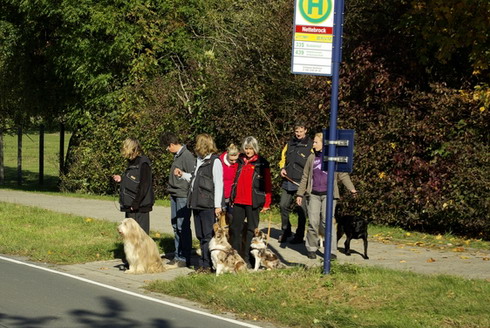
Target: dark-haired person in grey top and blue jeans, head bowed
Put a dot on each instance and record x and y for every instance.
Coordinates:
(178, 189)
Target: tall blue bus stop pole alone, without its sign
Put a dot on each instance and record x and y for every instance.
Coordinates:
(332, 134)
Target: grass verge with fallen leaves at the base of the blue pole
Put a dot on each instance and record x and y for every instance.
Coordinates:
(350, 296)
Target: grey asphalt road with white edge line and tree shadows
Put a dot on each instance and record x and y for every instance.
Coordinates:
(35, 296)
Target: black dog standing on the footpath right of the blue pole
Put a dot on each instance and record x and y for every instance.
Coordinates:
(354, 227)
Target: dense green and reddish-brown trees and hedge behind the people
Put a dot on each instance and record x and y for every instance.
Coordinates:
(414, 86)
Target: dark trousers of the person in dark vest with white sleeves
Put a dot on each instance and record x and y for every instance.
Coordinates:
(203, 224)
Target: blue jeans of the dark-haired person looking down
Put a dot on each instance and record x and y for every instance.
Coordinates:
(181, 223)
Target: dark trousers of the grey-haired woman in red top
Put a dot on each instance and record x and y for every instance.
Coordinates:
(240, 212)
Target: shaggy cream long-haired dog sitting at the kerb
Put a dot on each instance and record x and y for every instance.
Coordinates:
(141, 251)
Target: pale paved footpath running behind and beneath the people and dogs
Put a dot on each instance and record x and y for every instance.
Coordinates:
(472, 264)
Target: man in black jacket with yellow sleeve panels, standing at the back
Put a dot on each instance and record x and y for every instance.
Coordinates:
(293, 160)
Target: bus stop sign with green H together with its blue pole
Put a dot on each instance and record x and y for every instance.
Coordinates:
(317, 50)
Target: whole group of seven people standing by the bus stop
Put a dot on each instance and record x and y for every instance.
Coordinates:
(237, 181)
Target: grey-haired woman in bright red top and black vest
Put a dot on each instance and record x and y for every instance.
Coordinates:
(251, 194)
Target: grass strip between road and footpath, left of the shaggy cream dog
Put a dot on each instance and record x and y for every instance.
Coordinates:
(58, 238)
